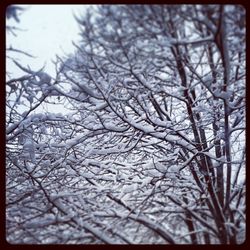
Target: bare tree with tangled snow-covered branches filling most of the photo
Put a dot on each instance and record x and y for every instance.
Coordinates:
(153, 149)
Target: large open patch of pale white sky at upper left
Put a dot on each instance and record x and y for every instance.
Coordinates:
(48, 30)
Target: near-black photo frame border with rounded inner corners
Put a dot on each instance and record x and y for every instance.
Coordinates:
(3, 5)
